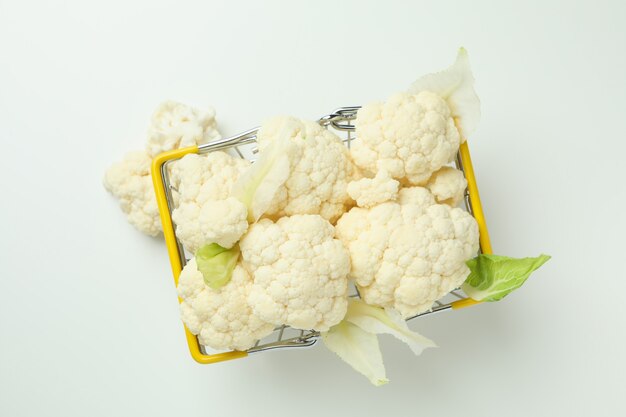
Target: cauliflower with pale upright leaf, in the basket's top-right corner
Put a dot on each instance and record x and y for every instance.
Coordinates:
(415, 133)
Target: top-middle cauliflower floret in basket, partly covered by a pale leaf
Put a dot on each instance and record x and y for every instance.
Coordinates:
(320, 170)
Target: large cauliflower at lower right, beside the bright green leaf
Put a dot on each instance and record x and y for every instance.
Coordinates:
(407, 254)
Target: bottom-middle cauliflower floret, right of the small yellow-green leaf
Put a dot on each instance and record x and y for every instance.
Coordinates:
(299, 270)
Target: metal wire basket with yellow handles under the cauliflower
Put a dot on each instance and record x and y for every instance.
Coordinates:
(283, 336)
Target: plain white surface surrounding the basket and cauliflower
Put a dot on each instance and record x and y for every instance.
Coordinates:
(88, 315)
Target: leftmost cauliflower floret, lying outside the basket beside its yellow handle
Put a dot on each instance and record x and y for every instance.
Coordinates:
(131, 183)
